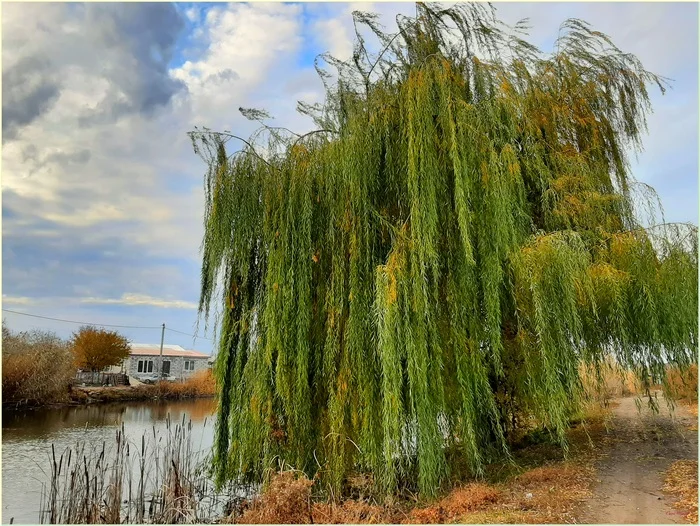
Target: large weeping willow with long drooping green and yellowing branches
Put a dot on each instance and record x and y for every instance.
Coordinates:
(437, 259)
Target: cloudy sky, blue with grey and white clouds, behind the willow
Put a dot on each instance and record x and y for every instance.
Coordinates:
(102, 195)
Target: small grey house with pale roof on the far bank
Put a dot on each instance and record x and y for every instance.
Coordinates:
(145, 361)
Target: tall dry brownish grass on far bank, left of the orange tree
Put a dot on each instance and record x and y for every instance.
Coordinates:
(37, 368)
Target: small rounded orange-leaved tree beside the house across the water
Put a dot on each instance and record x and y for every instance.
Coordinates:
(95, 349)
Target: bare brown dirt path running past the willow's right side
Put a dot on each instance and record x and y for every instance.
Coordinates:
(642, 448)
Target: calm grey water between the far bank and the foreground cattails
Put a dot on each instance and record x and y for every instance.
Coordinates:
(27, 438)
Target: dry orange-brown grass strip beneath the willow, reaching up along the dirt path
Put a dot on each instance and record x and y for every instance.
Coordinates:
(541, 487)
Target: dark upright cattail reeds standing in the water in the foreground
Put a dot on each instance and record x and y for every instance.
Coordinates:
(161, 479)
